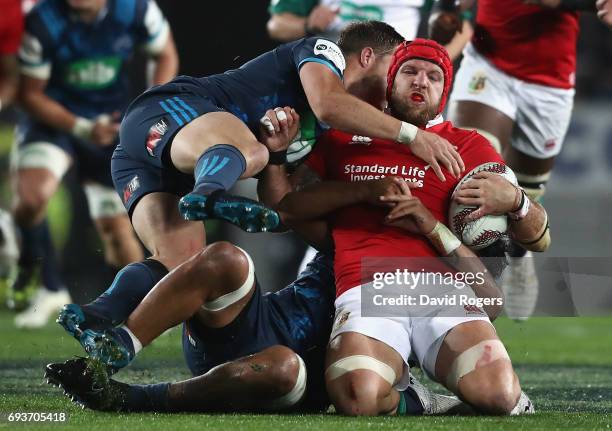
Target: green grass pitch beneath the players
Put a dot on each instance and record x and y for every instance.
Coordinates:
(565, 365)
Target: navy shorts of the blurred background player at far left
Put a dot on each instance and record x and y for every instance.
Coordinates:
(91, 161)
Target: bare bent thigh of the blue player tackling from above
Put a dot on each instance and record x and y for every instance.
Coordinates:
(210, 129)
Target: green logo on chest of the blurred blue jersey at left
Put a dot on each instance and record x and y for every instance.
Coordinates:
(93, 74)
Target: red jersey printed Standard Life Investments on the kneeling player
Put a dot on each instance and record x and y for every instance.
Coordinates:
(358, 230)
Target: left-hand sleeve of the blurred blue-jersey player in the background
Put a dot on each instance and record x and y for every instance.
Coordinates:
(35, 49)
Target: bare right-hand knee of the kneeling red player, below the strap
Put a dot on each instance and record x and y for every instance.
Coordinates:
(493, 389)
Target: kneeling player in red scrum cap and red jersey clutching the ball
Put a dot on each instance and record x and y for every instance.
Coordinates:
(456, 345)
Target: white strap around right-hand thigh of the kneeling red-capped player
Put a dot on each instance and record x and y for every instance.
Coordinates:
(476, 356)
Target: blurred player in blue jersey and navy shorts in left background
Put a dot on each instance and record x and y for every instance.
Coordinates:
(74, 58)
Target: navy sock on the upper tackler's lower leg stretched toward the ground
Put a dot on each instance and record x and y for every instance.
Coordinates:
(130, 286)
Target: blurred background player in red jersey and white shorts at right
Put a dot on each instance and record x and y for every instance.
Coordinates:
(518, 93)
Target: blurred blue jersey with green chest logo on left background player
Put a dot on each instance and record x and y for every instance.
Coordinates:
(85, 63)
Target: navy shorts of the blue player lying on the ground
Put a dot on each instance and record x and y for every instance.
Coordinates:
(299, 316)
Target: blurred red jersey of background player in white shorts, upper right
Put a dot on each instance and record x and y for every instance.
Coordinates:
(528, 42)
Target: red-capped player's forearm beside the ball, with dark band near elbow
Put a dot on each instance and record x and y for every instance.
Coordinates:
(532, 232)
